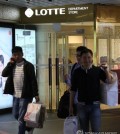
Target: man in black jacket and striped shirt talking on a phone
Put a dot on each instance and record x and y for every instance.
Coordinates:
(22, 84)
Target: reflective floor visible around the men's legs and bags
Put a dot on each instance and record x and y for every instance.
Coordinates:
(53, 125)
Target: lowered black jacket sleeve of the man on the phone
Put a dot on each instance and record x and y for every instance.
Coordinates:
(34, 82)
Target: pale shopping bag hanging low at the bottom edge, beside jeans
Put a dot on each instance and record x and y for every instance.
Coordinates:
(71, 125)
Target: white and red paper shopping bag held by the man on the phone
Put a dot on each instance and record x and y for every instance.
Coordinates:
(35, 115)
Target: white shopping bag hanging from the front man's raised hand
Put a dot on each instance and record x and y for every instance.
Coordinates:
(109, 92)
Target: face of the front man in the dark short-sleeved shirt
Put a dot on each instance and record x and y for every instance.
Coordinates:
(86, 59)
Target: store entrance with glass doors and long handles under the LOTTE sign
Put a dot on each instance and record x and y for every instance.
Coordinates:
(57, 53)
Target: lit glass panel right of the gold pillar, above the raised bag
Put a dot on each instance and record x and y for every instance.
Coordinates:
(108, 43)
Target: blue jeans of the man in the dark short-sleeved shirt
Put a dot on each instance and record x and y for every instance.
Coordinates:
(89, 113)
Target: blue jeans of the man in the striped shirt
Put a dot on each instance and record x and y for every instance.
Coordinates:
(19, 110)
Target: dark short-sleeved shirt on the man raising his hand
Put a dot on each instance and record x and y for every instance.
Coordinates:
(88, 83)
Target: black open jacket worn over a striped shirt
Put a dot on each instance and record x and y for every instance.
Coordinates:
(30, 87)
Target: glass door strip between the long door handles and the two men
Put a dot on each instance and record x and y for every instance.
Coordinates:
(61, 62)
